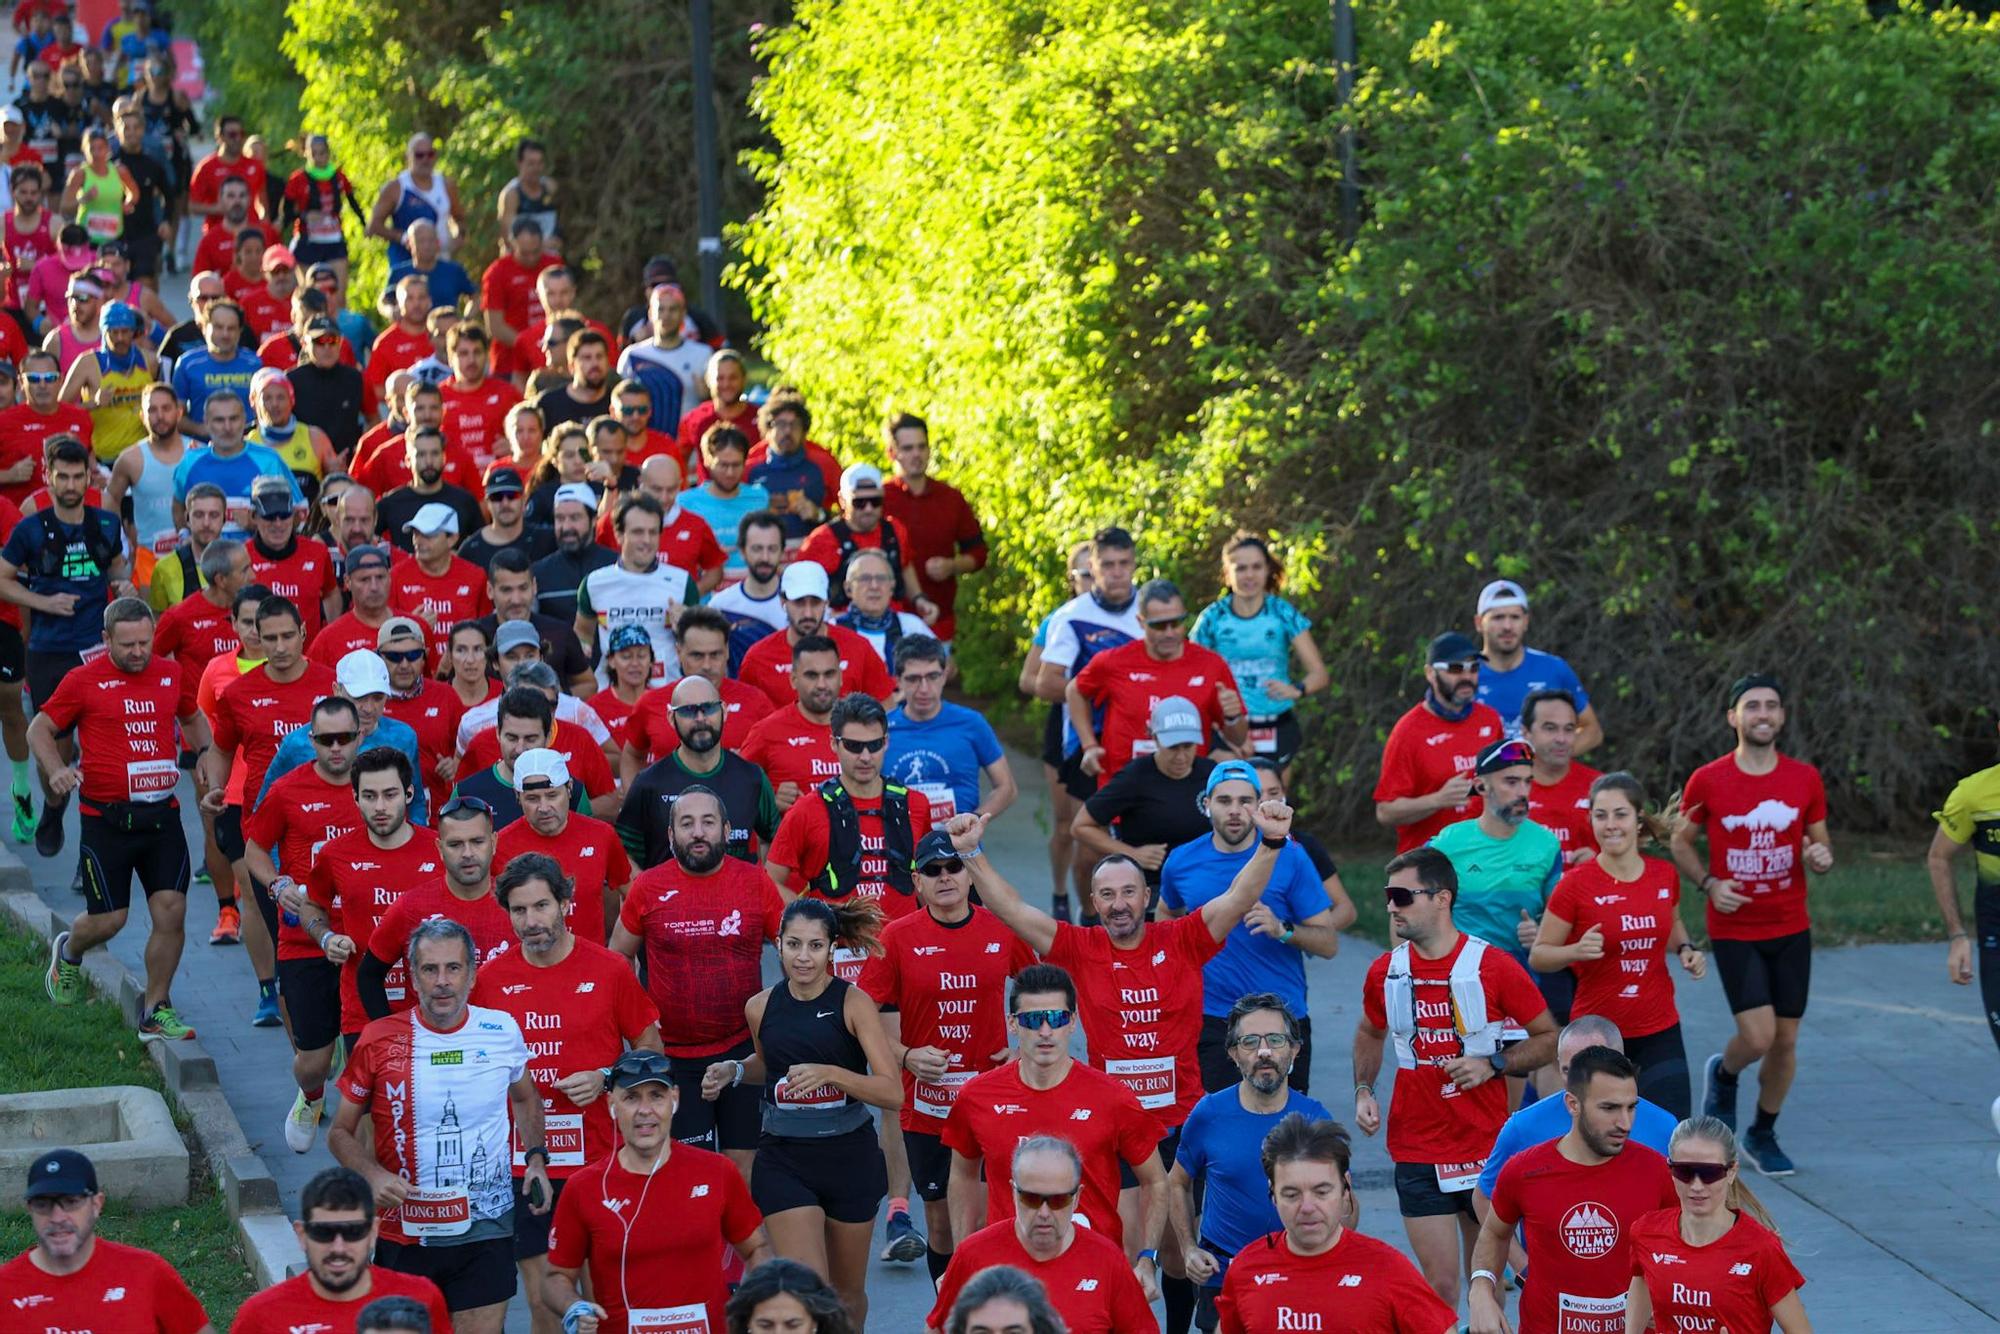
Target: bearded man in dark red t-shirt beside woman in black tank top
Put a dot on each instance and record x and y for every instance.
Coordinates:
(703, 919)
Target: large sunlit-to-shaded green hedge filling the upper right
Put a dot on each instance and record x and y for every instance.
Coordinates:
(1675, 313)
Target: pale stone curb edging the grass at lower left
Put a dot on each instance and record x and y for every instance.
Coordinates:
(249, 1189)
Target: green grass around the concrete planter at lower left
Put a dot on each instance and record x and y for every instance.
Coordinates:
(91, 1047)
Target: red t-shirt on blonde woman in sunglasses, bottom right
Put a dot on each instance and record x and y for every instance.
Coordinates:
(1727, 1285)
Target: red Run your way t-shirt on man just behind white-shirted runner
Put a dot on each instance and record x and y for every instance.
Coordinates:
(577, 1015)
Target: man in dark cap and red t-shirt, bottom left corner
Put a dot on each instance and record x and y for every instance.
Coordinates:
(67, 1277)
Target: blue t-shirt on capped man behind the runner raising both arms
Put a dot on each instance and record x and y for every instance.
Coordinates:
(1197, 873)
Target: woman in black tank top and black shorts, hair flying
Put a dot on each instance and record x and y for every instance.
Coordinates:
(823, 1059)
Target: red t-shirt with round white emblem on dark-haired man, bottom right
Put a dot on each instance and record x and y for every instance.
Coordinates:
(1579, 1233)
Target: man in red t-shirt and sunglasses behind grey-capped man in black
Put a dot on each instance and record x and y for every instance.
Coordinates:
(1111, 701)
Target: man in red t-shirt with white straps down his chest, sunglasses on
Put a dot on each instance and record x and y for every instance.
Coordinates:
(1443, 999)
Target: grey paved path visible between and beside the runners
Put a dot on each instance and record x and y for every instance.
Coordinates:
(1895, 1215)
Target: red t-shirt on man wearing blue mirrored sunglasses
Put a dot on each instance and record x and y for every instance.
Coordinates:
(1089, 1109)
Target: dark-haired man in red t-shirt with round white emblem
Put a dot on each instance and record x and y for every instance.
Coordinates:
(1575, 1201)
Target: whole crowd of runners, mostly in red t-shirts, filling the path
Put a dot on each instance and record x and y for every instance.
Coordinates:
(537, 687)
